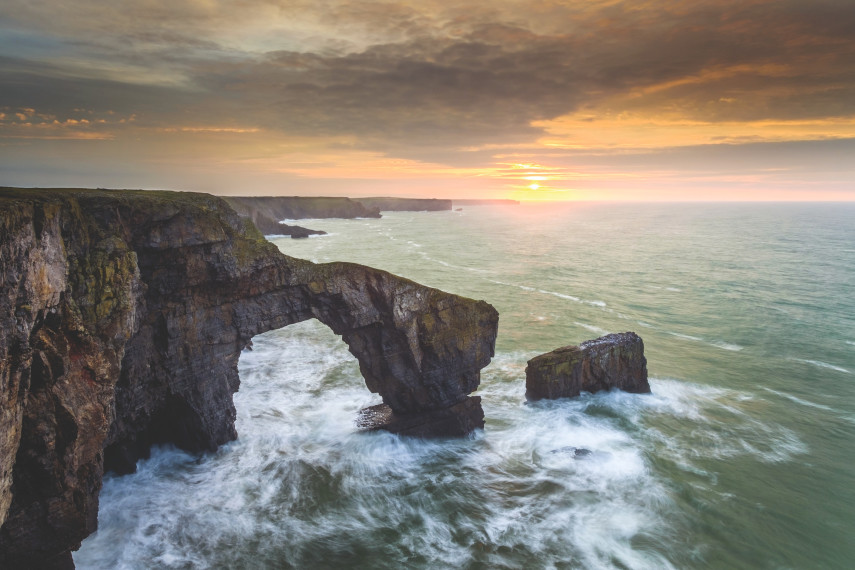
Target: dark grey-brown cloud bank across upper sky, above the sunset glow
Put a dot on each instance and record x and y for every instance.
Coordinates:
(434, 74)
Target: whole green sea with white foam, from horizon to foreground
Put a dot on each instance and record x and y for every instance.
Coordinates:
(743, 455)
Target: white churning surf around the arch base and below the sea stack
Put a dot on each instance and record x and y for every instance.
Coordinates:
(302, 488)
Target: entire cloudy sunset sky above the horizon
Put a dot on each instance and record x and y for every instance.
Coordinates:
(529, 100)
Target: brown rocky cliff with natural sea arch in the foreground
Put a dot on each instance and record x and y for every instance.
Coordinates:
(122, 318)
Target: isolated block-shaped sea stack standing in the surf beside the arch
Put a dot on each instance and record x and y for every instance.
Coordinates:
(612, 361)
